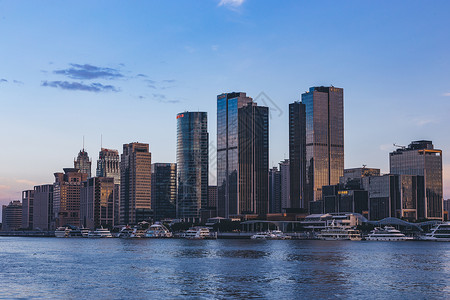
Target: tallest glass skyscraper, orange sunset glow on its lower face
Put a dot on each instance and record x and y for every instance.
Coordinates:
(324, 111)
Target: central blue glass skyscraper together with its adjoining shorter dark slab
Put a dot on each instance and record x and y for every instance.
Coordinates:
(242, 155)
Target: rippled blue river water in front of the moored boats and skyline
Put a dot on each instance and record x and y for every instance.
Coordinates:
(218, 269)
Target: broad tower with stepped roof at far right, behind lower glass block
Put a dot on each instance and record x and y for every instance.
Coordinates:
(420, 158)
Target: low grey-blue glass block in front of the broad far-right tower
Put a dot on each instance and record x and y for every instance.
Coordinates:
(396, 196)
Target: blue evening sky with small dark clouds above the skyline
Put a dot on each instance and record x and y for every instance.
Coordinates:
(116, 72)
